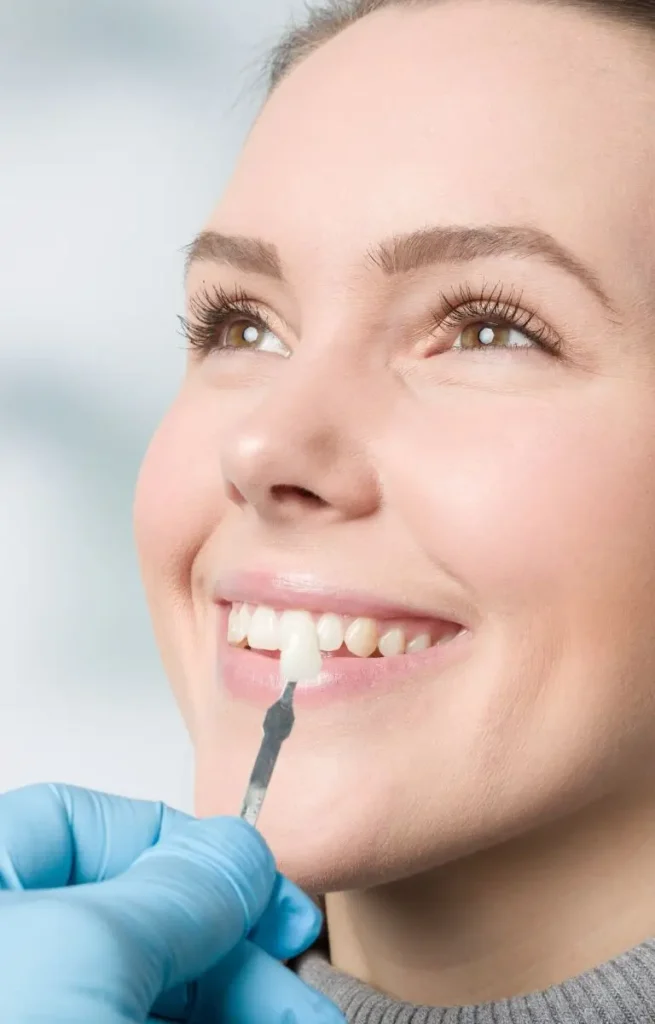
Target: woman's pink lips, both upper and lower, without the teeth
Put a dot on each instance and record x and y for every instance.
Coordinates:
(254, 677)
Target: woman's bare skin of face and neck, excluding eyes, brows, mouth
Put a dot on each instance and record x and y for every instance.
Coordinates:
(446, 818)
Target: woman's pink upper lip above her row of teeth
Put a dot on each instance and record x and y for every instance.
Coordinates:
(308, 592)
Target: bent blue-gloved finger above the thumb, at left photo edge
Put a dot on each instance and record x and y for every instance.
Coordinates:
(54, 836)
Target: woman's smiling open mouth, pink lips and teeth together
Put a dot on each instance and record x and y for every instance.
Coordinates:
(335, 644)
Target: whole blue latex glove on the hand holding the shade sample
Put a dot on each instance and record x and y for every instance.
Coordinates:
(120, 912)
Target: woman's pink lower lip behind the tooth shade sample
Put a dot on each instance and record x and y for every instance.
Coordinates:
(254, 677)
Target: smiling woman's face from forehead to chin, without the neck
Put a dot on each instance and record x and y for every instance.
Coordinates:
(439, 432)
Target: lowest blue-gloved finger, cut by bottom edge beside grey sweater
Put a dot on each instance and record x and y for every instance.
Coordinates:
(250, 987)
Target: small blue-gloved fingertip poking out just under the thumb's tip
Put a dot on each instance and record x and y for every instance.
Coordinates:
(291, 923)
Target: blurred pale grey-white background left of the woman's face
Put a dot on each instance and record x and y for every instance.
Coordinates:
(120, 121)
